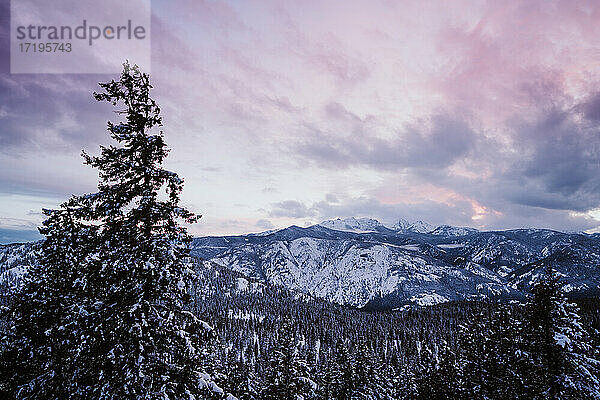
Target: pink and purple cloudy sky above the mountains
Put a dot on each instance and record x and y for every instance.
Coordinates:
(473, 113)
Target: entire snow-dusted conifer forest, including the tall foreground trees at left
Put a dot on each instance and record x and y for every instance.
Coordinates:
(116, 308)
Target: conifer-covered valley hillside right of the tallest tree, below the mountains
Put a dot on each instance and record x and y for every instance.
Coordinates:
(322, 350)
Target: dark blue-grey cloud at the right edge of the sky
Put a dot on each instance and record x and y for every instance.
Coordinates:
(558, 166)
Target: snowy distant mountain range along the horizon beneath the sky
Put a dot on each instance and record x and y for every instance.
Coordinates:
(362, 263)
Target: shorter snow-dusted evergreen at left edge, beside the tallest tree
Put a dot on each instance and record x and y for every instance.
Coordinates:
(38, 349)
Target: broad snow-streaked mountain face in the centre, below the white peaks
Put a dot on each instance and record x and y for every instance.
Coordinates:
(355, 273)
